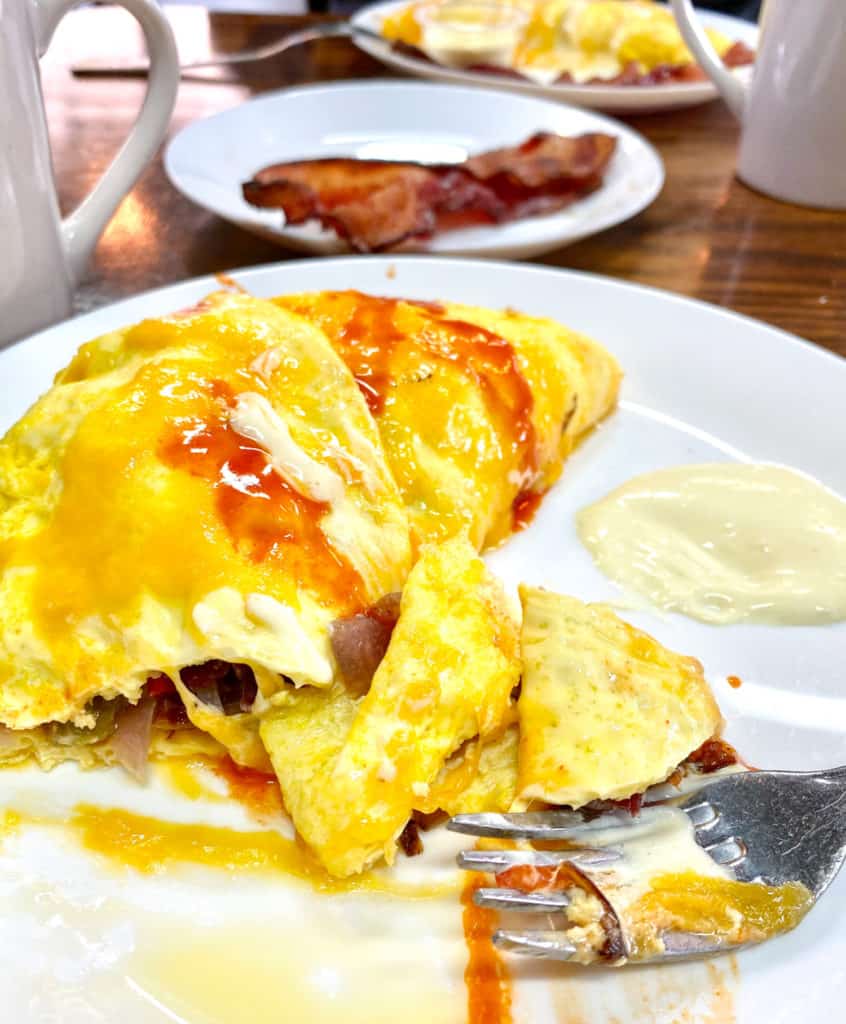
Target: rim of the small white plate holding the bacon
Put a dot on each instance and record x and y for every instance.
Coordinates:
(473, 93)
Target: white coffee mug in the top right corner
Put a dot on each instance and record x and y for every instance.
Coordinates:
(794, 113)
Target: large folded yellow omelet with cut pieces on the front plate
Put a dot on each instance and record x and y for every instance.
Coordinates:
(209, 522)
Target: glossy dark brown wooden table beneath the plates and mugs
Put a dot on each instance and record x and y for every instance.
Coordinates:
(707, 236)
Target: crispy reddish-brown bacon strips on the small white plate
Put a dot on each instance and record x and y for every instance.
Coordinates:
(376, 205)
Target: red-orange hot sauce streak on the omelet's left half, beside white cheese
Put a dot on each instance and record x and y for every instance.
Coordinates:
(266, 518)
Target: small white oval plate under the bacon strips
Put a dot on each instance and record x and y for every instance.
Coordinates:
(209, 160)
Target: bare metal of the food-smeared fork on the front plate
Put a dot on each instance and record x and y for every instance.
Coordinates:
(766, 827)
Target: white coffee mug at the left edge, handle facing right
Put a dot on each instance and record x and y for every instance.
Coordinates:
(43, 257)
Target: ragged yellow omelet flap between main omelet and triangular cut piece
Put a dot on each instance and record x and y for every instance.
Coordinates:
(352, 771)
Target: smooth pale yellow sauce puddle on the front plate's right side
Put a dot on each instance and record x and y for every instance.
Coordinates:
(726, 543)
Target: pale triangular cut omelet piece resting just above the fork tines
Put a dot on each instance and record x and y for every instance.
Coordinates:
(605, 711)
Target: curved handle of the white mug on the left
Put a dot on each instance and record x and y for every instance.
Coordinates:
(82, 229)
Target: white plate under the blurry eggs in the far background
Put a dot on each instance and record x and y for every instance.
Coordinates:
(616, 99)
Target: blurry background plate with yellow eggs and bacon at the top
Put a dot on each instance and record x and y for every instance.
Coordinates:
(561, 50)
